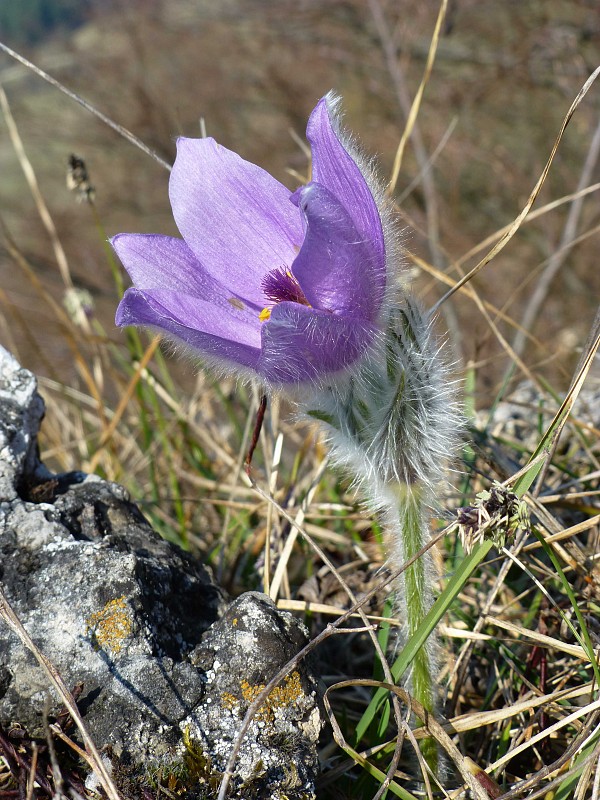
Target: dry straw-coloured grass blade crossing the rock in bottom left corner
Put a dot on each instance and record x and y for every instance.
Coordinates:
(11, 619)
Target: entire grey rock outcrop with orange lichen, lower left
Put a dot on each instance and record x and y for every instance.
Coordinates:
(166, 672)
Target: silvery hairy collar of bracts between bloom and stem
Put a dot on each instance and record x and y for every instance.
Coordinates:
(394, 419)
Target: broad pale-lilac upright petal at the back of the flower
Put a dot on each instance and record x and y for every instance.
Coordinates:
(233, 215)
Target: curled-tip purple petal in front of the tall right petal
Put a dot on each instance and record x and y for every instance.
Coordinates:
(338, 270)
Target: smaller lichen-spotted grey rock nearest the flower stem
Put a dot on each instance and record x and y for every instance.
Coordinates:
(239, 656)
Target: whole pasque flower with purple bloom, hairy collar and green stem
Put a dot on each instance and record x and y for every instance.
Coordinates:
(300, 288)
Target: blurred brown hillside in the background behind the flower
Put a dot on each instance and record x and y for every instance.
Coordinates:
(251, 71)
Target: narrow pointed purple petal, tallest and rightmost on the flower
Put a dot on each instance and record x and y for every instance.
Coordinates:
(334, 168)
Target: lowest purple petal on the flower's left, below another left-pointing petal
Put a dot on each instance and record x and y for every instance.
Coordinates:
(142, 308)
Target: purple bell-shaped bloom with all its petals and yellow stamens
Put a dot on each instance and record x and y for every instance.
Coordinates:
(286, 286)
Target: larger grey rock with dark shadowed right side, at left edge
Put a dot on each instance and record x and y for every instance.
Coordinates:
(117, 610)
